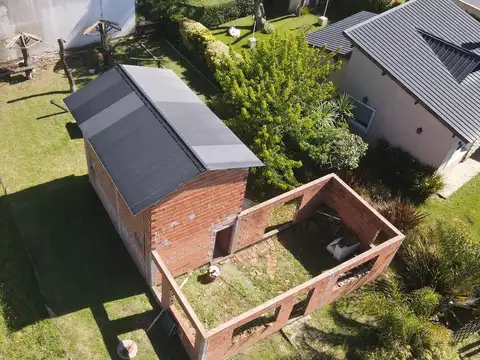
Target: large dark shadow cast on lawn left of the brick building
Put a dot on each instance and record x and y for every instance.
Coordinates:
(79, 260)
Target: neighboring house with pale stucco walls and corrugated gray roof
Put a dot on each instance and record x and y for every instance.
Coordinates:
(416, 66)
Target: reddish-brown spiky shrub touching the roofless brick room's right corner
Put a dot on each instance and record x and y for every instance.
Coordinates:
(401, 213)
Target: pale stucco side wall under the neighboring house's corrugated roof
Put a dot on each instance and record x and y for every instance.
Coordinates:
(397, 117)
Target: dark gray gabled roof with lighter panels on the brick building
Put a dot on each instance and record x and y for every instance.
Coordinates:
(152, 133)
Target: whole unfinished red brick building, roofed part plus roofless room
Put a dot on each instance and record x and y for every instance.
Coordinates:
(172, 177)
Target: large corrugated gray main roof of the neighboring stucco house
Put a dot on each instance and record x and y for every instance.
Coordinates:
(392, 40)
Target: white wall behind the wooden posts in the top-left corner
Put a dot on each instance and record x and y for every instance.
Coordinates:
(52, 19)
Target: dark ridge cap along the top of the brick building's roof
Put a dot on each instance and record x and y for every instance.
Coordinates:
(162, 119)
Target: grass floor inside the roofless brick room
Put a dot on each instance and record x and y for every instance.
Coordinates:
(257, 274)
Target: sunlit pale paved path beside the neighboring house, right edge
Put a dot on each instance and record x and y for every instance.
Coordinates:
(460, 175)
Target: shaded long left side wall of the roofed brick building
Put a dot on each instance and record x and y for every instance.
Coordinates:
(126, 223)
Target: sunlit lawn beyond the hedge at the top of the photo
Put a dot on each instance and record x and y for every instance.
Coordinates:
(289, 23)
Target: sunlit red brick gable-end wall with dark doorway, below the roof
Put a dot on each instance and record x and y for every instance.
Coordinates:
(183, 224)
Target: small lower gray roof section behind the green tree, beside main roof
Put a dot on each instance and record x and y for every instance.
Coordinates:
(332, 36)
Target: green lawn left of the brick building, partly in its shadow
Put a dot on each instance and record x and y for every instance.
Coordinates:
(87, 277)
